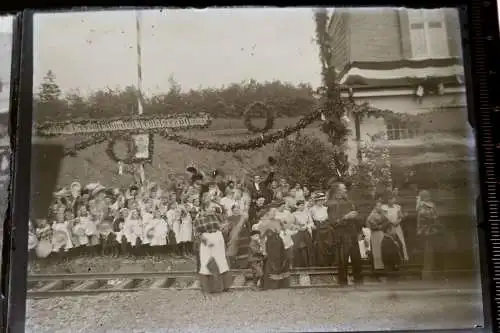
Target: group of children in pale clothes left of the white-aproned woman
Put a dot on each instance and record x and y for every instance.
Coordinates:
(97, 220)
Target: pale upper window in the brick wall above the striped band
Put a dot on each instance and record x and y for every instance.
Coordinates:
(428, 36)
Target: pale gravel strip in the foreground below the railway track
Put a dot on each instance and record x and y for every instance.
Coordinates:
(284, 310)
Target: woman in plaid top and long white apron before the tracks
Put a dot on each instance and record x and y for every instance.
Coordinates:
(214, 268)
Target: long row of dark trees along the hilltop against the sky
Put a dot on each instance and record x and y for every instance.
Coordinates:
(229, 101)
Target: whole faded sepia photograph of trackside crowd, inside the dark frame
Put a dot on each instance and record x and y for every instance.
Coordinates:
(252, 170)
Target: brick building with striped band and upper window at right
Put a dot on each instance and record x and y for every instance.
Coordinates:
(409, 61)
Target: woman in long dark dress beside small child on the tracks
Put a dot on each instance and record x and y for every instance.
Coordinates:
(277, 265)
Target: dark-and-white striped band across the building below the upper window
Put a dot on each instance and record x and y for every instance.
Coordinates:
(402, 73)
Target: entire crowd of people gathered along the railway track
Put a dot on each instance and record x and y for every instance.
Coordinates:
(289, 226)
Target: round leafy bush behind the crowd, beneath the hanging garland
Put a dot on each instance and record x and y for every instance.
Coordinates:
(306, 160)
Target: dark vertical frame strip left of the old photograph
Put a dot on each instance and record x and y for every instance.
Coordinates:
(15, 254)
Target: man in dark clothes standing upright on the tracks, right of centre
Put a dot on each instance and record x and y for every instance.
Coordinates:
(347, 229)
